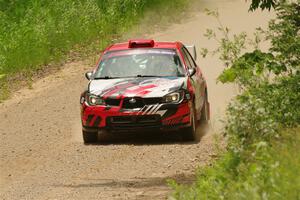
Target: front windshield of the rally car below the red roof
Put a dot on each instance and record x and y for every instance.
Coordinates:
(139, 63)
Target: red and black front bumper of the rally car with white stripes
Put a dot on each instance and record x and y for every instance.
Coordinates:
(114, 118)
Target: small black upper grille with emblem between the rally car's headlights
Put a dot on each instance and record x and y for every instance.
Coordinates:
(139, 102)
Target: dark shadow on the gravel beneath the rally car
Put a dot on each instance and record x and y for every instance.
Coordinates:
(150, 137)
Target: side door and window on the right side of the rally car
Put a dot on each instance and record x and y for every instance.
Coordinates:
(197, 80)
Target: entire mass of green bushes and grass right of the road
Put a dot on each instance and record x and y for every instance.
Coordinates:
(262, 159)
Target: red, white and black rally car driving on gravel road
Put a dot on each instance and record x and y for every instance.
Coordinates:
(143, 84)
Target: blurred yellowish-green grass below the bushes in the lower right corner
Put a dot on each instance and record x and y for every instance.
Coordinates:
(268, 171)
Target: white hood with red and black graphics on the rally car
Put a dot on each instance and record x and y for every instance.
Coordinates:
(137, 87)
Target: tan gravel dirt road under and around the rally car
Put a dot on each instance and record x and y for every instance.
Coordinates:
(42, 153)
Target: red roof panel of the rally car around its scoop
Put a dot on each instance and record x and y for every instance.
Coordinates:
(151, 43)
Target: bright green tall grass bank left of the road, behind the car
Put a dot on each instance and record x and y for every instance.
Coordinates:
(35, 35)
